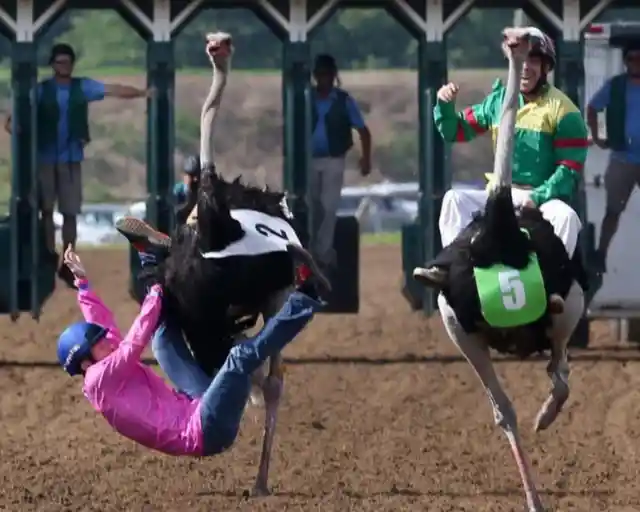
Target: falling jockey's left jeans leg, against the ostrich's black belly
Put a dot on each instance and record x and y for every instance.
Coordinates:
(176, 361)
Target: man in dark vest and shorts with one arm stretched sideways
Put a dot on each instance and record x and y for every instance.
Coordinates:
(63, 132)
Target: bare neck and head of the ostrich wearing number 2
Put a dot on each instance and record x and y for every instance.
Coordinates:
(219, 50)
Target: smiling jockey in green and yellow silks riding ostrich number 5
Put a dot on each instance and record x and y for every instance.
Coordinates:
(549, 154)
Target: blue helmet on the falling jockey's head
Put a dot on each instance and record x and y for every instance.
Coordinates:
(75, 343)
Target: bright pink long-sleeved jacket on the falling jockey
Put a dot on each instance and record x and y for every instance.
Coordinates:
(135, 401)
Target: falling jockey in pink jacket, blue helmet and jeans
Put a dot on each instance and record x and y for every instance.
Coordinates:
(137, 402)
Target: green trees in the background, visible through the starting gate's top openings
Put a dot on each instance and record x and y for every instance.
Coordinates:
(348, 35)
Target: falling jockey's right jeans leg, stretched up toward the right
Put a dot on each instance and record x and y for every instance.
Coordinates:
(224, 402)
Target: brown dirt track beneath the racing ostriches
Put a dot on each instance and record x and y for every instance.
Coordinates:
(407, 428)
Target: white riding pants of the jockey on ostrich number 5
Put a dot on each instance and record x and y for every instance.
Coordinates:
(459, 205)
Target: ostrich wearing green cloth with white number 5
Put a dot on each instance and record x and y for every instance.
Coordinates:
(511, 285)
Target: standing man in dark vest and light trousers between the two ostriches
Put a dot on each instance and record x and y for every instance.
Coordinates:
(334, 115)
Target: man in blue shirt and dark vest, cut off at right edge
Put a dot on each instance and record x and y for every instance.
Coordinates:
(620, 97)
